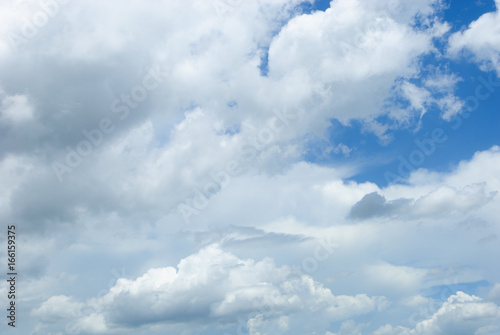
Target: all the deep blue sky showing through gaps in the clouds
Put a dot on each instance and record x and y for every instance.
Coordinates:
(477, 132)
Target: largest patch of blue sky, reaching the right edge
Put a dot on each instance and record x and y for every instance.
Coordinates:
(461, 137)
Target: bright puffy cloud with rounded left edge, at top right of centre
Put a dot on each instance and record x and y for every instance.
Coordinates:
(355, 49)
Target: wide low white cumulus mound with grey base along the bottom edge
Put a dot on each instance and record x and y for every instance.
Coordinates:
(209, 285)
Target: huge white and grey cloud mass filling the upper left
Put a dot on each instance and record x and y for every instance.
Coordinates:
(212, 102)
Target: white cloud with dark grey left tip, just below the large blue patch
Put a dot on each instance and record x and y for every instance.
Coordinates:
(470, 186)
